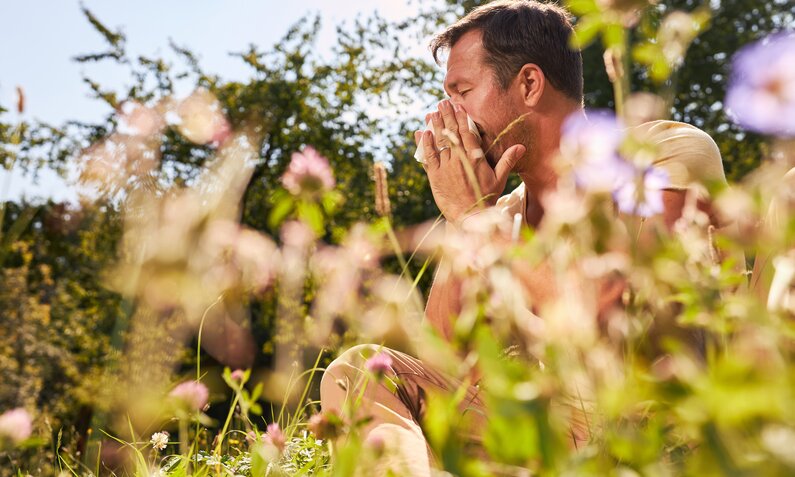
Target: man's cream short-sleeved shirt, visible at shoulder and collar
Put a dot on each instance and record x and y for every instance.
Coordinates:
(685, 152)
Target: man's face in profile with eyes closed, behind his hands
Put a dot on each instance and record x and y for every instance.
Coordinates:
(471, 83)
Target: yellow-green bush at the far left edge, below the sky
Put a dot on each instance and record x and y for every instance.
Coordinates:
(58, 320)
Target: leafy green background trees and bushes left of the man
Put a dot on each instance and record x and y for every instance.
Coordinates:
(294, 98)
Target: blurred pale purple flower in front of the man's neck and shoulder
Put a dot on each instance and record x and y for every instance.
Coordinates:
(591, 144)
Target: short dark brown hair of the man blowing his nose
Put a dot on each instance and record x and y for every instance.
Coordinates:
(517, 32)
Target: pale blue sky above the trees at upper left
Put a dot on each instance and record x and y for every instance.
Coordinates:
(39, 38)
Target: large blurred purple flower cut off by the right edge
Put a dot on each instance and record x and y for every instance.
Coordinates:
(761, 94)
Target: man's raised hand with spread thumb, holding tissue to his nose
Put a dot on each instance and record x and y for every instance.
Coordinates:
(446, 149)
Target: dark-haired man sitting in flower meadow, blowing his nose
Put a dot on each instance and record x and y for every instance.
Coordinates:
(511, 70)
